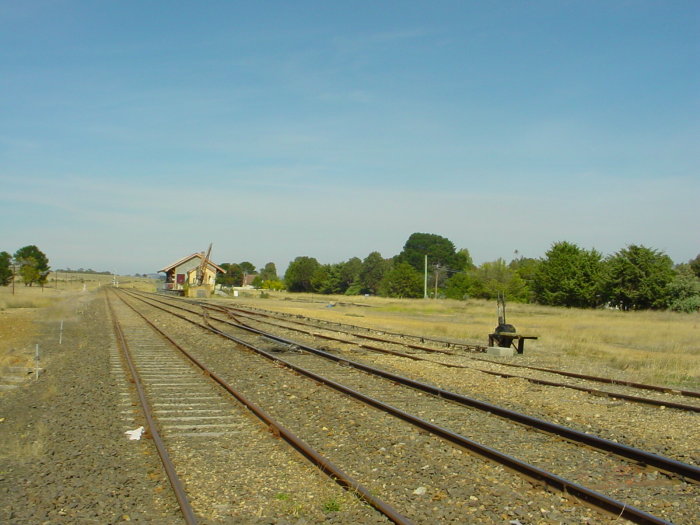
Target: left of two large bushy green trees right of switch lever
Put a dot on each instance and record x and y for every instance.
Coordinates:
(569, 276)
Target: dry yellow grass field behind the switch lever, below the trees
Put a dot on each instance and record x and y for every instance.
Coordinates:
(653, 347)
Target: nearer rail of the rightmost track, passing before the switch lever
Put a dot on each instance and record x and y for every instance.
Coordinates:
(589, 390)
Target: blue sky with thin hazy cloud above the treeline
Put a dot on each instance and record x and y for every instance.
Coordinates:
(133, 133)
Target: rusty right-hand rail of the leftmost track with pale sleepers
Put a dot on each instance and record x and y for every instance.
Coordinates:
(324, 464)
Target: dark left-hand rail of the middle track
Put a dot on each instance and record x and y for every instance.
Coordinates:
(593, 497)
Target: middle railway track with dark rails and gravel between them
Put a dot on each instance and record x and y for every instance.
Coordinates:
(453, 423)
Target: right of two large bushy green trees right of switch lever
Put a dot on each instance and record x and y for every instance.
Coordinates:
(638, 278)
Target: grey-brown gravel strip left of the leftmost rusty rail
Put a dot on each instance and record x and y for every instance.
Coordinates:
(64, 457)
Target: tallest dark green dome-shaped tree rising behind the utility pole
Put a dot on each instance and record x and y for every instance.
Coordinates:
(440, 252)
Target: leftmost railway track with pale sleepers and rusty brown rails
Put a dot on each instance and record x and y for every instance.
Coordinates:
(206, 435)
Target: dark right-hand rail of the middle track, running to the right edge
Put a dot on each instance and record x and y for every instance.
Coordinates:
(661, 462)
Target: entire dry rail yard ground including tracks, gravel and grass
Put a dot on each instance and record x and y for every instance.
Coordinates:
(65, 456)
